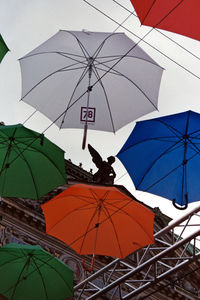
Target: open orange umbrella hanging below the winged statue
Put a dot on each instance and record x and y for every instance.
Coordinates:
(99, 220)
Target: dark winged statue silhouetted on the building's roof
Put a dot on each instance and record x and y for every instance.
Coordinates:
(106, 173)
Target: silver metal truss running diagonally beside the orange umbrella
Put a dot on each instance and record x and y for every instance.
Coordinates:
(145, 272)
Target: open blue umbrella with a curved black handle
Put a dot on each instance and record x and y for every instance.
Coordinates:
(162, 156)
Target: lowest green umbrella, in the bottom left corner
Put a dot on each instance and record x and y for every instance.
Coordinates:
(30, 273)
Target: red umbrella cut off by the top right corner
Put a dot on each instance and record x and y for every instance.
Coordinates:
(179, 16)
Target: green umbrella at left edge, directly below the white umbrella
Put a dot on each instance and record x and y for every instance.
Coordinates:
(30, 164)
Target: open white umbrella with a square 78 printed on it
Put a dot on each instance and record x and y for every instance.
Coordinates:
(92, 80)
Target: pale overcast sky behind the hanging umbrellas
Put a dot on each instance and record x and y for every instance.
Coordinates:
(25, 24)
